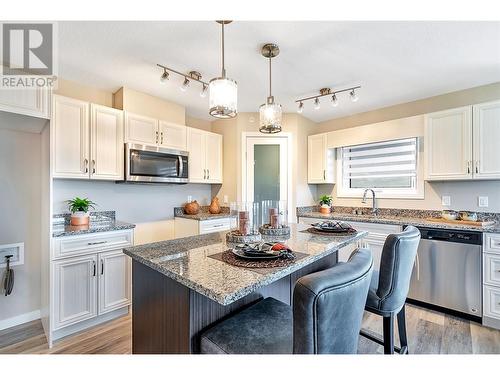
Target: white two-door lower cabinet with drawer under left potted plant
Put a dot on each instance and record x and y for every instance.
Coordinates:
(90, 285)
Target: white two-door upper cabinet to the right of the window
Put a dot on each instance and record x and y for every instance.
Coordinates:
(461, 143)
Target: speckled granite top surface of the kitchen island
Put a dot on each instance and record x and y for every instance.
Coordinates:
(187, 261)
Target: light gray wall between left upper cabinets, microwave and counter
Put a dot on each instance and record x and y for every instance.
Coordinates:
(133, 203)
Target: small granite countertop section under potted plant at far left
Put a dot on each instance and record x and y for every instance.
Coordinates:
(99, 222)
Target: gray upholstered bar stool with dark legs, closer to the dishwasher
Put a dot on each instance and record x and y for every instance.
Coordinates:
(390, 285)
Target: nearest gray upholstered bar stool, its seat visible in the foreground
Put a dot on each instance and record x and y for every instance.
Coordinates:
(326, 316)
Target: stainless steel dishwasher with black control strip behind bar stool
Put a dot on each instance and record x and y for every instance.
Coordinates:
(447, 271)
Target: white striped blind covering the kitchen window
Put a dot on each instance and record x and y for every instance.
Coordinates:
(390, 159)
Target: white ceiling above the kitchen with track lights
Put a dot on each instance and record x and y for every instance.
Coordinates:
(394, 62)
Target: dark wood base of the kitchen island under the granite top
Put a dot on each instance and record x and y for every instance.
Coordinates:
(168, 317)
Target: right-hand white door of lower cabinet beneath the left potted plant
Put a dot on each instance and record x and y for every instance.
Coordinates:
(114, 281)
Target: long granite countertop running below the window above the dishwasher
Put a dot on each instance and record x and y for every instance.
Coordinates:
(397, 219)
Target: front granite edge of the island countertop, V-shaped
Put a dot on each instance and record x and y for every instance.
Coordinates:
(234, 296)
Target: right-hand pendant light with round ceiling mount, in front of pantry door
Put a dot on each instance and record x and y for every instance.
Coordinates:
(270, 112)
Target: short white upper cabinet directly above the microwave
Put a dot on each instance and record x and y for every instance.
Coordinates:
(146, 130)
